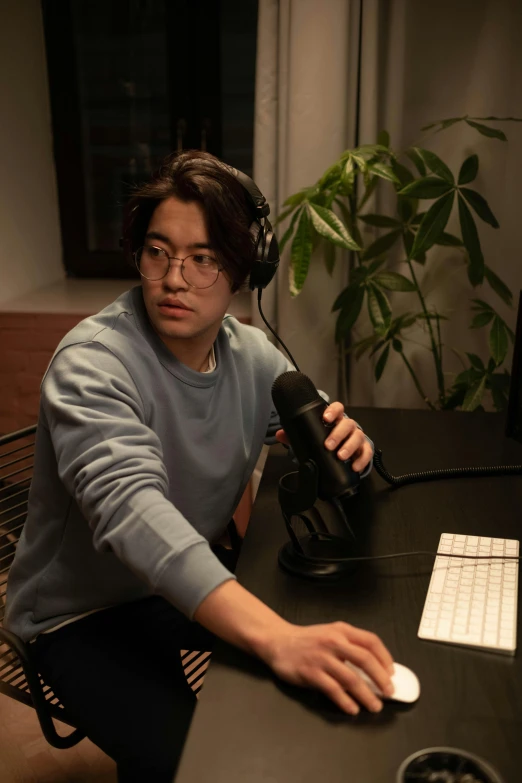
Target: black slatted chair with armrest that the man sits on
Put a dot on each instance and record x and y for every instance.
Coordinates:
(18, 677)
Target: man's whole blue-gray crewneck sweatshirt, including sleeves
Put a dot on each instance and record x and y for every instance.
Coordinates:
(139, 465)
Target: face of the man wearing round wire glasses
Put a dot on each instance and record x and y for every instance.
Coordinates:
(177, 311)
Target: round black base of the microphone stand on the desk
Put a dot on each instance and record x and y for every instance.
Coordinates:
(319, 557)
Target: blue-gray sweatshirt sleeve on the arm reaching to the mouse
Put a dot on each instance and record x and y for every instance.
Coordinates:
(111, 462)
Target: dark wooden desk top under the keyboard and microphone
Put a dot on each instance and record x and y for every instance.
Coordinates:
(250, 728)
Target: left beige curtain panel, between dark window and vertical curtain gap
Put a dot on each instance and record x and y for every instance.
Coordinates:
(305, 99)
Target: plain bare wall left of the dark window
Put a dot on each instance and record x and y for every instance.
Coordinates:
(30, 247)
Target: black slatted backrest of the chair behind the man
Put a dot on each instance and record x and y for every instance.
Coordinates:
(16, 471)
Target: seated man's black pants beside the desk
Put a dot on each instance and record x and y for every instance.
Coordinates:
(118, 673)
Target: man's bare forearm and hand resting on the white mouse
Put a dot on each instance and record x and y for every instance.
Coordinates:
(310, 656)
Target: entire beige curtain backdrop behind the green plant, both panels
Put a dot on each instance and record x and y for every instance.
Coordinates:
(418, 62)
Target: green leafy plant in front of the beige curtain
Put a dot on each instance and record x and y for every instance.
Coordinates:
(333, 213)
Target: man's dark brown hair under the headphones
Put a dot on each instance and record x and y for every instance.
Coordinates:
(198, 176)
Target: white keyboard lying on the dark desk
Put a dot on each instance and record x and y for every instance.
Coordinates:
(473, 602)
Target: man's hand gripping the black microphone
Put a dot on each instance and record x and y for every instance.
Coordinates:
(345, 437)
